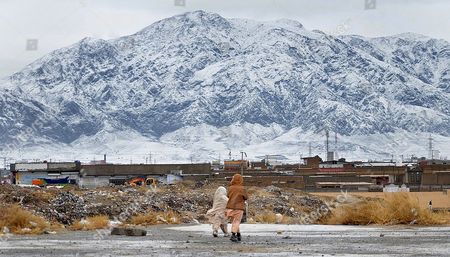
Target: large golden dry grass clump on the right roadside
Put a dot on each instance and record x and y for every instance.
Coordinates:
(394, 209)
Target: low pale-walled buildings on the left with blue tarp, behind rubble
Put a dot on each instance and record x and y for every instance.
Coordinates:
(102, 174)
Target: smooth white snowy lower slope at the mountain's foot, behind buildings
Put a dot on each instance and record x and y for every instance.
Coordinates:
(203, 143)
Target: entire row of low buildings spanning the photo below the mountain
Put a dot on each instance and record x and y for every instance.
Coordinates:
(313, 174)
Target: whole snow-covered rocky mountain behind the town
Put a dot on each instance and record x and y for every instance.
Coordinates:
(204, 83)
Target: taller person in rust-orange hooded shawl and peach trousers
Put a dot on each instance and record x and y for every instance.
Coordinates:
(237, 195)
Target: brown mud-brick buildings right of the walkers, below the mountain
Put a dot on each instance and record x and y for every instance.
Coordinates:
(317, 175)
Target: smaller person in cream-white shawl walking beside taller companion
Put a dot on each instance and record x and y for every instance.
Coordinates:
(216, 215)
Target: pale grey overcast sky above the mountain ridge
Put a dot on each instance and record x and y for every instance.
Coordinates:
(58, 23)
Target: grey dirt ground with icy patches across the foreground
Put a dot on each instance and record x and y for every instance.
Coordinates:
(258, 240)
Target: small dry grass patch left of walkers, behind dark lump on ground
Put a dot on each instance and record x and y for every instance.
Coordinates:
(153, 218)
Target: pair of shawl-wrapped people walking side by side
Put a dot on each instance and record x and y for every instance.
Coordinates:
(229, 205)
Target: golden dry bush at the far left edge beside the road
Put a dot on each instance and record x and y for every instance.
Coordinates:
(20, 221)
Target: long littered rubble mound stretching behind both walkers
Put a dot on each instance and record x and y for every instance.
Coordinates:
(67, 206)
